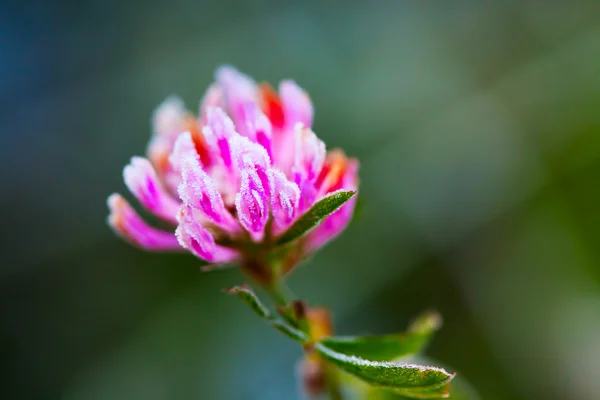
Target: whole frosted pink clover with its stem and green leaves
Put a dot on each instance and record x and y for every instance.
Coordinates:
(248, 182)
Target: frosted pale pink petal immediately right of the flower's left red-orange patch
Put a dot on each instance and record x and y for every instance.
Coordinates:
(218, 132)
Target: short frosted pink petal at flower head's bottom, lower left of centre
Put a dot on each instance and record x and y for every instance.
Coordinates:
(197, 239)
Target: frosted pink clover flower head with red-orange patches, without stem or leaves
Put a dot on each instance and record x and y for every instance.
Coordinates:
(237, 177)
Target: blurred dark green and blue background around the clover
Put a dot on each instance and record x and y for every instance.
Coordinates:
(478, 128)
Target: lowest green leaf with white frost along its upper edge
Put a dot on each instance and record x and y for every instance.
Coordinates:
(416, 381)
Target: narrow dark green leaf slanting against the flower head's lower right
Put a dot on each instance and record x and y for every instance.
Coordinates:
(313, 217)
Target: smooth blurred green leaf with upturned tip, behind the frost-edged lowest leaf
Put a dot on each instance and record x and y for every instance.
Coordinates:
(389, 347)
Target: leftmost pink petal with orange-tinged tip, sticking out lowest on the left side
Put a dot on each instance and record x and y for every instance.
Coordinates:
(129, 225)
